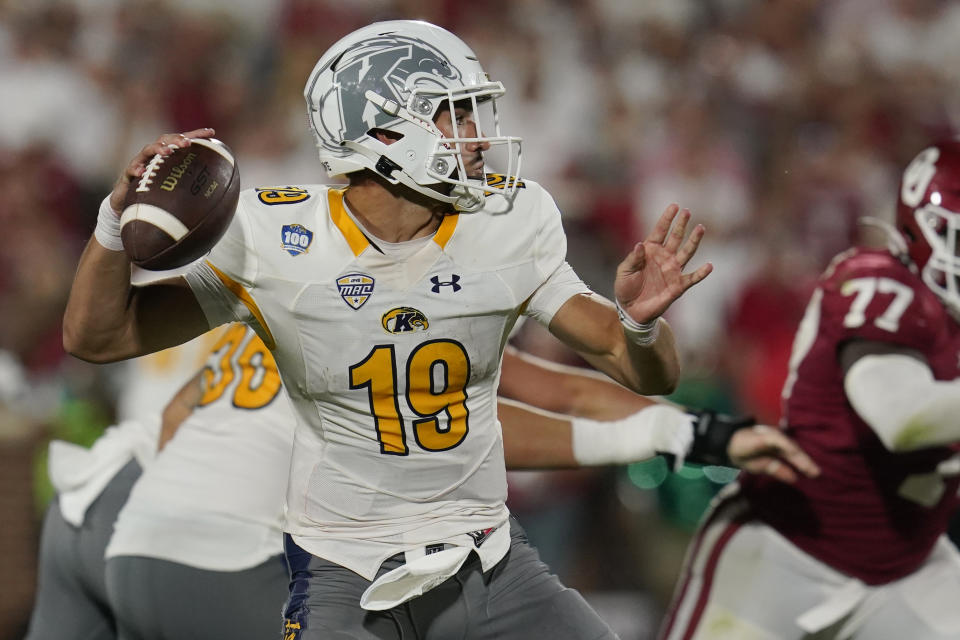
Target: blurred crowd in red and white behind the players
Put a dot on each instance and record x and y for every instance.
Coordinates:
(779, 123)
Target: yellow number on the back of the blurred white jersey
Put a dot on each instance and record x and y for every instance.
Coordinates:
(259, 380)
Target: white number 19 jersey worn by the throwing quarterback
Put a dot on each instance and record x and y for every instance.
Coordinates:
(392, 365)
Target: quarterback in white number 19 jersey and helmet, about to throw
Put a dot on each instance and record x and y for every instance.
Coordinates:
(387, 305)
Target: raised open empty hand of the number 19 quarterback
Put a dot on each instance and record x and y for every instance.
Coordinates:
(651, 277)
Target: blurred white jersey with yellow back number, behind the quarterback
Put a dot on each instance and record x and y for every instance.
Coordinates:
(213, 497)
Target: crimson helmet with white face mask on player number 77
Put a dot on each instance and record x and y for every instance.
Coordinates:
(928, 218)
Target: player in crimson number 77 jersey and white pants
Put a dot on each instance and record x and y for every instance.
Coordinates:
(873, 396)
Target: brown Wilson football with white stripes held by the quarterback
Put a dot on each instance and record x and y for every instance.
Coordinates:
(181, 206)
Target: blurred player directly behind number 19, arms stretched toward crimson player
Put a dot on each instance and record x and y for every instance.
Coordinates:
(197, 550)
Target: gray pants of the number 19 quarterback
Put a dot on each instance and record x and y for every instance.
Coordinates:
(518, 599)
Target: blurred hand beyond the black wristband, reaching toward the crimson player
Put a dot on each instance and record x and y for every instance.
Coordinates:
(765, 450)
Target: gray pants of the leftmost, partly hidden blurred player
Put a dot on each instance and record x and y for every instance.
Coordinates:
(71, 599)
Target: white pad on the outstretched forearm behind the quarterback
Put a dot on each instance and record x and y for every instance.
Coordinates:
(659, 428)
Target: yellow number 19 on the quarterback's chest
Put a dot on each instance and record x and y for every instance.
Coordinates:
(377, 373)
